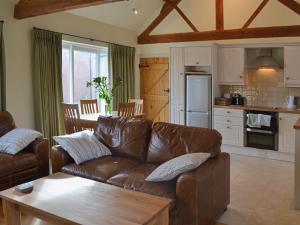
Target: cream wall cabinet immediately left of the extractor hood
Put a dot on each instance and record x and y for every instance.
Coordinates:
(232, 66)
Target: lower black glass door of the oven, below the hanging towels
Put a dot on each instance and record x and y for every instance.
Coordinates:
(261, 139)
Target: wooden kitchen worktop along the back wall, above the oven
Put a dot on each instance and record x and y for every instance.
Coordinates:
(260, 108)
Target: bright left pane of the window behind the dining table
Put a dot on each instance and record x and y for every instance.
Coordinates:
(83, 72)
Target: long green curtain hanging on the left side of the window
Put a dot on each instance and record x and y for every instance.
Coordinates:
(47, 82)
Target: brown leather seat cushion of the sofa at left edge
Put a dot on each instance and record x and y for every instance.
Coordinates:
(10, 164)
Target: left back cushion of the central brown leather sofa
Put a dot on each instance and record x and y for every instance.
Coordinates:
(125, 136)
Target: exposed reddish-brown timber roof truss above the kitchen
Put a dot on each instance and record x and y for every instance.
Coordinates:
(219, 33)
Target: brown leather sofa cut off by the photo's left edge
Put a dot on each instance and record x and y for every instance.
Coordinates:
(29, 164)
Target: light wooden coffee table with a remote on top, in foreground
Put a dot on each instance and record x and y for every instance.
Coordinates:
(65, 199)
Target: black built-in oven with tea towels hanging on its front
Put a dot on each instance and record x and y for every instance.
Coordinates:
(264, 137)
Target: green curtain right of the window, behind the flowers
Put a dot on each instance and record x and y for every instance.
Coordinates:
(122, 67)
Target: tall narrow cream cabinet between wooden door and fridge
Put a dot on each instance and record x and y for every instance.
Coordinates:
(177, 83)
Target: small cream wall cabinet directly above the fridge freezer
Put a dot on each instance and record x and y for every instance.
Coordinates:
(198, 56)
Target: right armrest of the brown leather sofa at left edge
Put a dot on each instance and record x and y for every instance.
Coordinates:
(40, 147)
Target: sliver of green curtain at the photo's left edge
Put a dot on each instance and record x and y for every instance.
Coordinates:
(2, 71)
